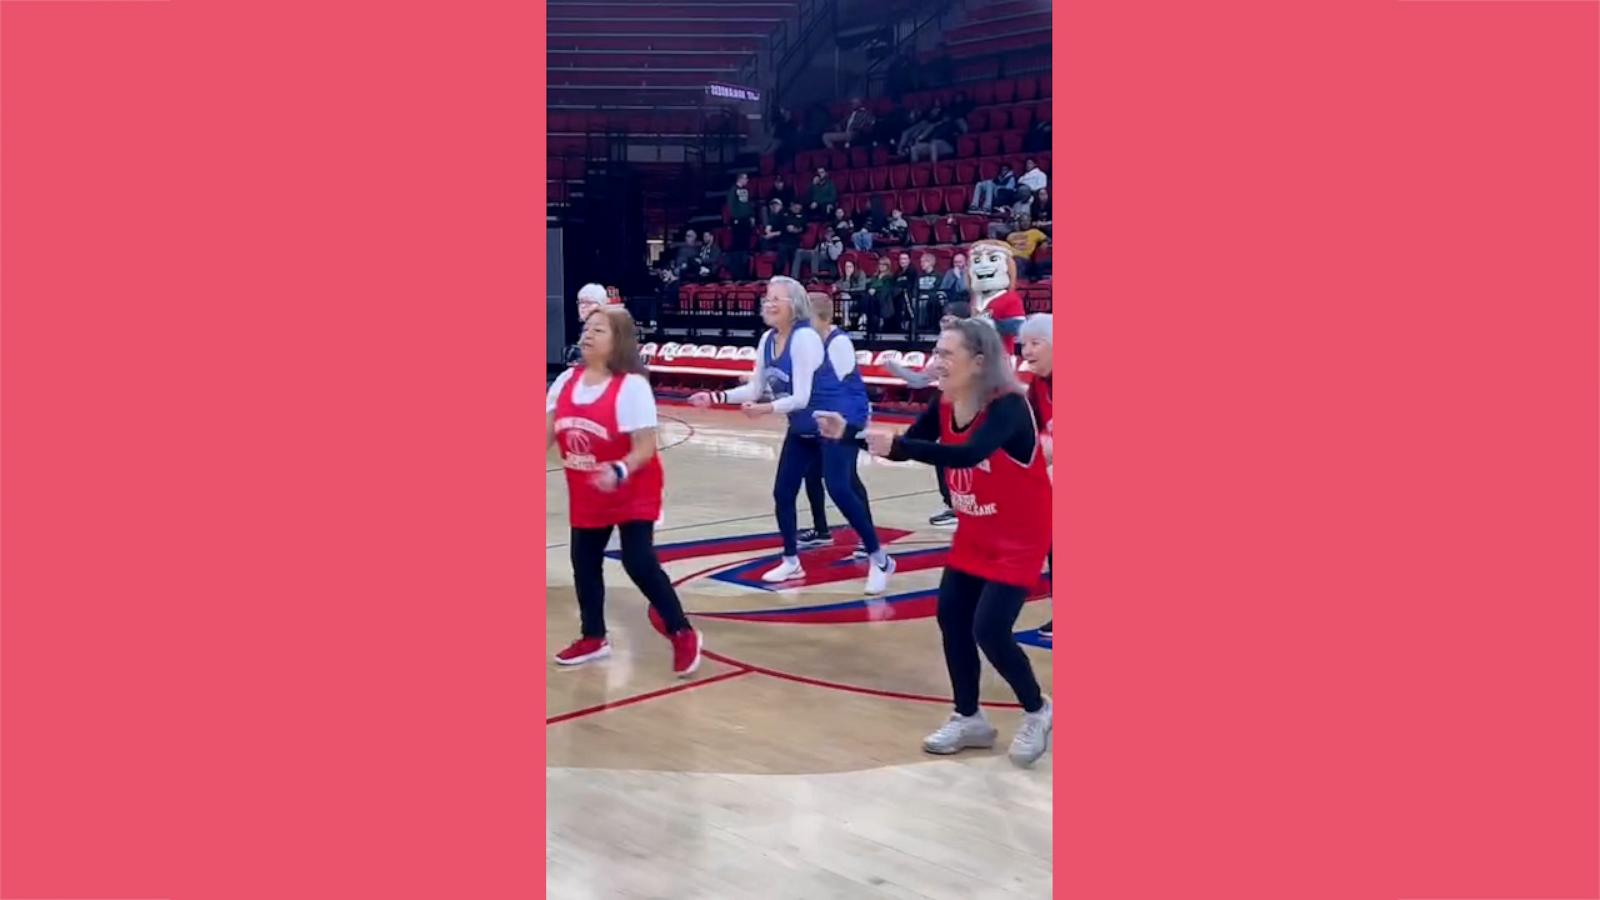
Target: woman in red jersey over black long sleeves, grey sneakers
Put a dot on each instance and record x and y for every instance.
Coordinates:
(983, 433)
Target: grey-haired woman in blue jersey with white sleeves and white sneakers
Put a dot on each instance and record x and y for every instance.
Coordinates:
(809, 379)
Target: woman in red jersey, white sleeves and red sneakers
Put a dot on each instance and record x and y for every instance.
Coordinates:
(602, 416)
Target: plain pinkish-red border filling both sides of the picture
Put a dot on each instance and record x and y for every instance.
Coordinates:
(271, 326)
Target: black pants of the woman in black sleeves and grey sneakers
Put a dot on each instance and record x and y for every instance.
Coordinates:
(977, 614)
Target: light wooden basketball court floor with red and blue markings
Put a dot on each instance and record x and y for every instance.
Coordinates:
(791, 765)
